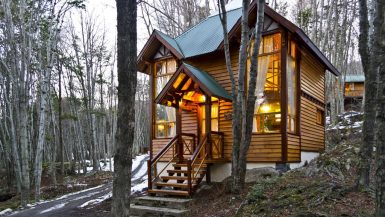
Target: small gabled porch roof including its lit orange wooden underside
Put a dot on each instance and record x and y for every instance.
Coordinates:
(190, 83)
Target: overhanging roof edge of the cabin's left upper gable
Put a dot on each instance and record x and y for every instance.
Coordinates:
(151, 47)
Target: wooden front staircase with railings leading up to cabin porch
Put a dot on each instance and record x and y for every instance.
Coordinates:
(182, 177)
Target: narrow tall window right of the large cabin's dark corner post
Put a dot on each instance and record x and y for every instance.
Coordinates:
(291, 76)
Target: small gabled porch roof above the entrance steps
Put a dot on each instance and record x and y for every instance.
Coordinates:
(205, 82)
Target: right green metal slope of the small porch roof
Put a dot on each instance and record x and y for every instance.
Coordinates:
(209, 82)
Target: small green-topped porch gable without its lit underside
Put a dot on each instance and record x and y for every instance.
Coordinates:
(207, 83)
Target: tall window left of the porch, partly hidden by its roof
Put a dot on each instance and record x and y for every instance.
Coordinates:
(165, 116)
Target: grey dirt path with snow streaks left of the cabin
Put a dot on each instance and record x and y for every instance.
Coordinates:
(69, 205)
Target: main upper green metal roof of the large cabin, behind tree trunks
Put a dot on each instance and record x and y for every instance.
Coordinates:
(207, 36)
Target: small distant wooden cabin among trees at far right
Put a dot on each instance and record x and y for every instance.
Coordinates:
(354, 92)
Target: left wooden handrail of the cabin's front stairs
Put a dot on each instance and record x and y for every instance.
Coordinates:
(158, 156)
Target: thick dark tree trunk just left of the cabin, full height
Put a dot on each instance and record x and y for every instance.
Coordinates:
(127, 73)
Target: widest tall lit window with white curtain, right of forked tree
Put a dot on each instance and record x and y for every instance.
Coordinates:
(267, 118)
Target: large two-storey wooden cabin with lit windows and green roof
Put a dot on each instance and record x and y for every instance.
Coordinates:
(191, 101)
